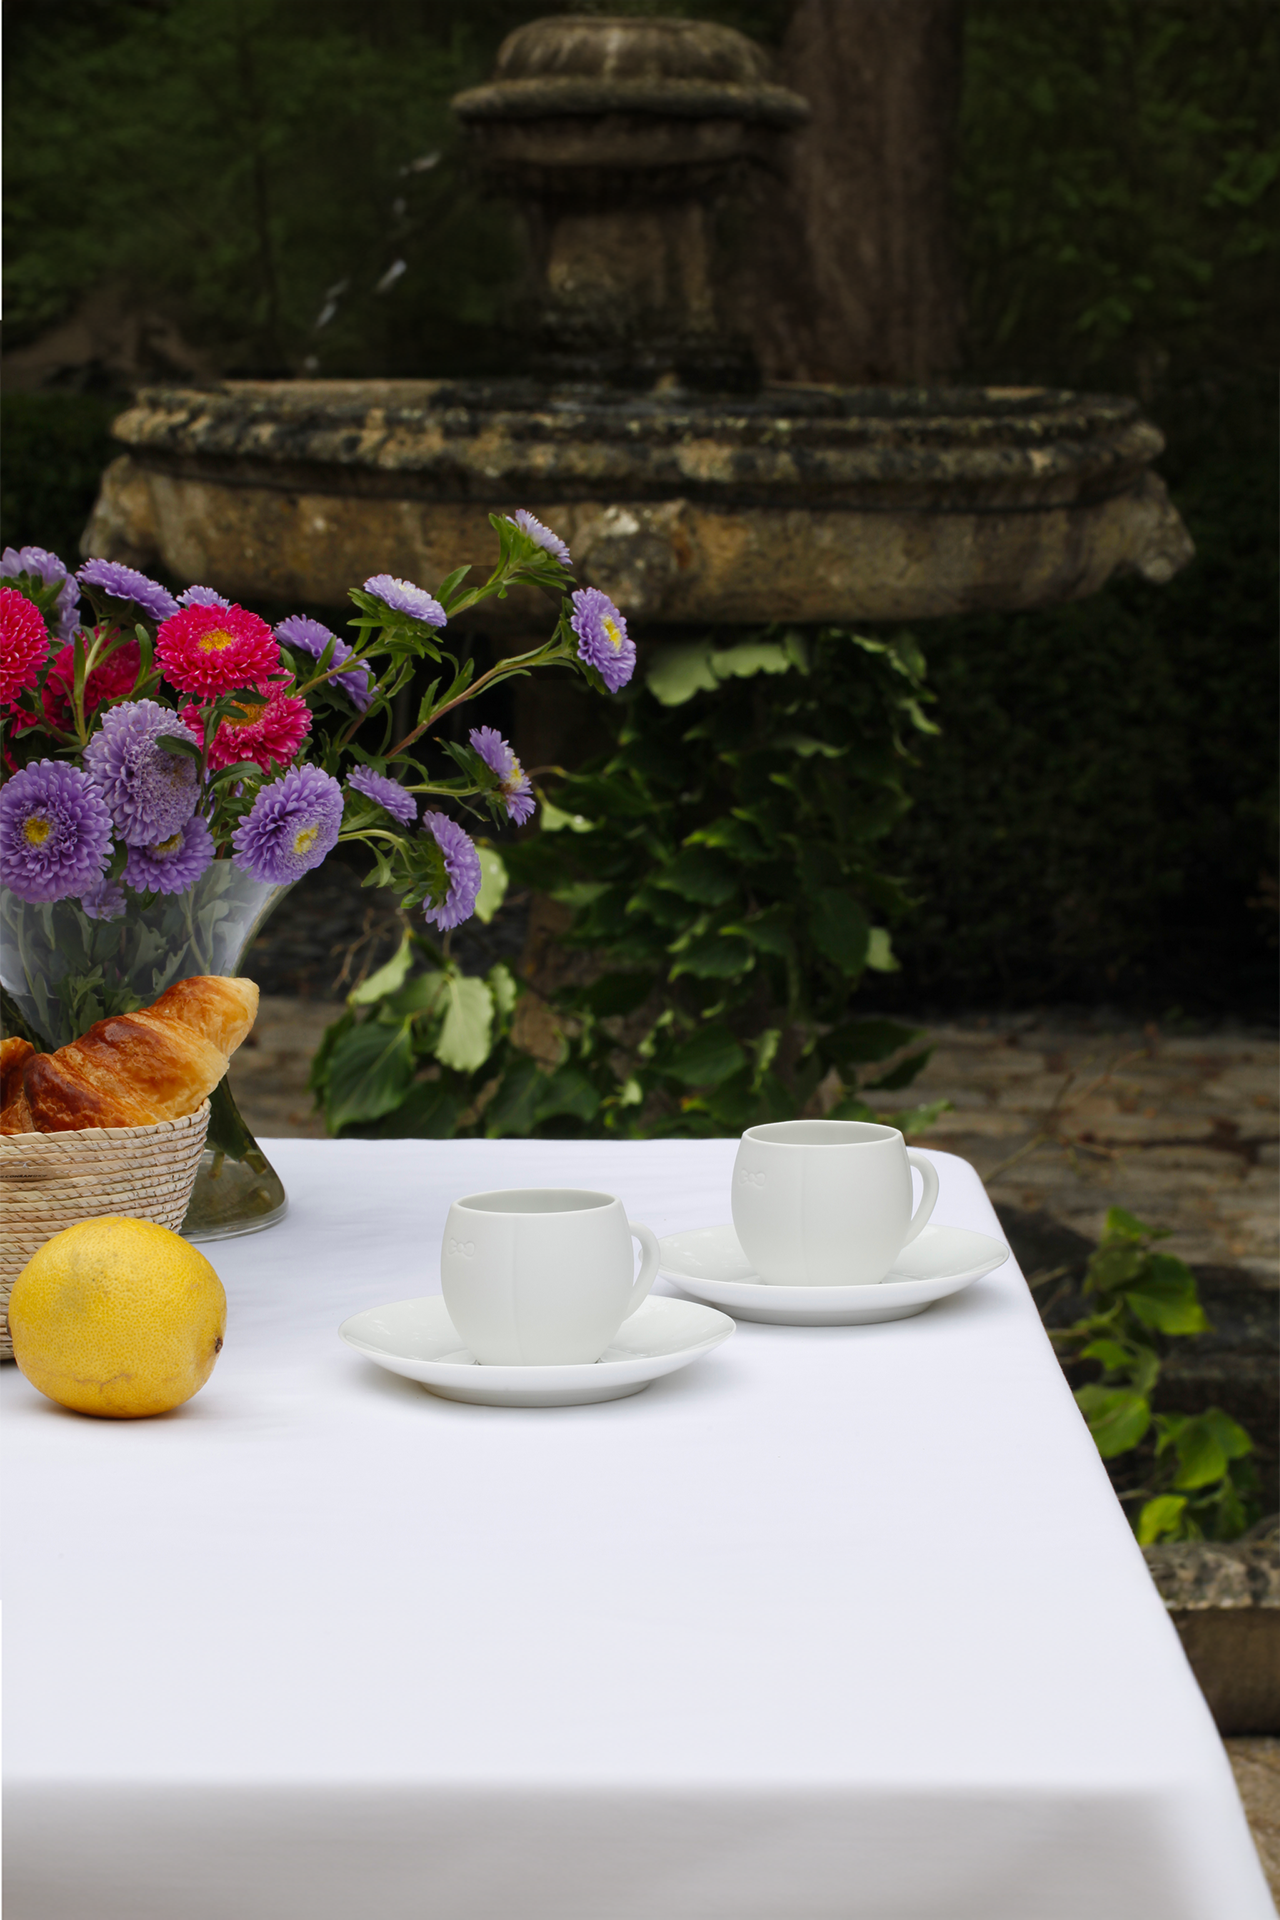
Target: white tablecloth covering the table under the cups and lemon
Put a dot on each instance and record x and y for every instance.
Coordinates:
(836, 1623)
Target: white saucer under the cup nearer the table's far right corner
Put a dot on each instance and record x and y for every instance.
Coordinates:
(709, 1264)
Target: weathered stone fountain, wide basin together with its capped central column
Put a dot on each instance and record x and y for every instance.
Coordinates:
(684, 487)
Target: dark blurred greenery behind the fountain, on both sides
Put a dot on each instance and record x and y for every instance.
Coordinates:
(281, 183)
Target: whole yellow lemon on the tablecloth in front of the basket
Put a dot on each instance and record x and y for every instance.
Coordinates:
(118, 1316)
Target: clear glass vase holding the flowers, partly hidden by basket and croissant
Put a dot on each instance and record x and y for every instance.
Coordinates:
(62, 972)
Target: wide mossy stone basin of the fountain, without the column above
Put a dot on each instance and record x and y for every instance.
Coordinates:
(794, 504)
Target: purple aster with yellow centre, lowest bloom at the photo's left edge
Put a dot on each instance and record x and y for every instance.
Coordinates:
(55, 832)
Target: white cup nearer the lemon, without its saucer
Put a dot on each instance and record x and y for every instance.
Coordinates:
(542, 1276)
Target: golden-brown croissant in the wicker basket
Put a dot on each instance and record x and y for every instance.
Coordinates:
(130, 1070)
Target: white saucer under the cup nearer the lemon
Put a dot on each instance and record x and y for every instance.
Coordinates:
(417, 1339)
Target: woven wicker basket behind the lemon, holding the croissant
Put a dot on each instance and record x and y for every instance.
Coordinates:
(55, 1180)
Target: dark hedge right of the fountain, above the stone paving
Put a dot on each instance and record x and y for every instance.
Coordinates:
(1099, 817)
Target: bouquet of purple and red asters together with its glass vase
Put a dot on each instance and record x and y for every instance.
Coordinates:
(172, 767)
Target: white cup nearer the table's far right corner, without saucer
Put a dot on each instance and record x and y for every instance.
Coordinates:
(828, 1203)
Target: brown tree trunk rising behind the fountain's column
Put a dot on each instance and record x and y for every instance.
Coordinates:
(855, 274)
